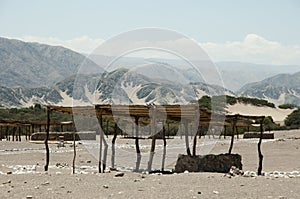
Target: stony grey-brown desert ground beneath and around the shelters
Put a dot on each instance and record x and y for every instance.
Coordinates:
(22, 174)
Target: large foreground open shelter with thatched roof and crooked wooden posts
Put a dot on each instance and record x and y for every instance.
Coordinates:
(185, 114)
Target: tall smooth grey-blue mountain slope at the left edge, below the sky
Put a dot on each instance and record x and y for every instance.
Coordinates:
(32, 65)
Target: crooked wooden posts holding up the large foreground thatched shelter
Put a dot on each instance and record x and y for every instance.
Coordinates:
(102, 161)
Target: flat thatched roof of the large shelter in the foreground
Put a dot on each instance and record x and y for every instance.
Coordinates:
(189, 113)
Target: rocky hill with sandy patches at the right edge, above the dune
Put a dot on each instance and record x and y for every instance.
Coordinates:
(279, 89)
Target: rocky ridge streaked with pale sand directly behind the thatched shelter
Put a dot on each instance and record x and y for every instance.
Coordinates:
(120, 86)
